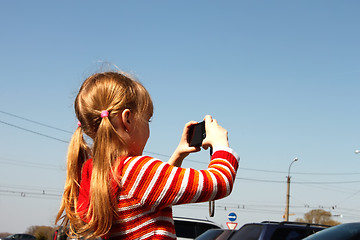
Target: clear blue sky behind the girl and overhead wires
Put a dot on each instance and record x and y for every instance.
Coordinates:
(281, 76)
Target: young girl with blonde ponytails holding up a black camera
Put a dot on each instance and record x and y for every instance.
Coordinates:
(112, 190)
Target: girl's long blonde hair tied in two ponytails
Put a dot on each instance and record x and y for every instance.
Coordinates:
(113, 92)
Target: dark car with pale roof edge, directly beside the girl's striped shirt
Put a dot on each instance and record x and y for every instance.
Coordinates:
(190, 228)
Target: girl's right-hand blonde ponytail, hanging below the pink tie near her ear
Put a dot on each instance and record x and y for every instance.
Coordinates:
(105, 151)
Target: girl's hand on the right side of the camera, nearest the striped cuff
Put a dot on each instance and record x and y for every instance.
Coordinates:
(215, 134)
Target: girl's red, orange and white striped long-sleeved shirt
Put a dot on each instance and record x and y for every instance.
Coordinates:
(149, 187)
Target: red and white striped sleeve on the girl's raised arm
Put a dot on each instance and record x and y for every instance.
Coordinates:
(159, 184)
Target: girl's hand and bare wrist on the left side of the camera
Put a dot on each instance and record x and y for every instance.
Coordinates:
(183, 149)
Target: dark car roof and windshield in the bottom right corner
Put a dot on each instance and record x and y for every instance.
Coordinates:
(345, 231)
